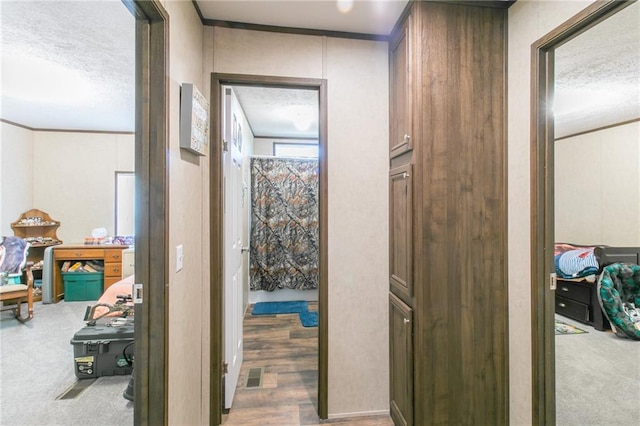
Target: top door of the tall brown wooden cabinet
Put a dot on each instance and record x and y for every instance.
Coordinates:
(400, 90)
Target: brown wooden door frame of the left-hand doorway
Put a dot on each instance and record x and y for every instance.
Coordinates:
(152, 204)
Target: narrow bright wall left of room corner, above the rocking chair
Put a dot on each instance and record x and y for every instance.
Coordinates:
(16, 174)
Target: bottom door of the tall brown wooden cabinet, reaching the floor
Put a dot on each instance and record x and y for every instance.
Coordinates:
(401, 361)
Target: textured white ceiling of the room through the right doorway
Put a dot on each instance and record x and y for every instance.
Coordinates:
(598, 75)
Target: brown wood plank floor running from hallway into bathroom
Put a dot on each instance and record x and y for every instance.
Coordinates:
(288, 354)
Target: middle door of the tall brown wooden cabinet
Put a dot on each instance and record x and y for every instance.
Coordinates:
(400, 231)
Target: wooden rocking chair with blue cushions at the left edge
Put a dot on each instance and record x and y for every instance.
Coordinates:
(13, 290)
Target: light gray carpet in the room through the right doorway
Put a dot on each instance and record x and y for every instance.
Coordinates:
(597, 378)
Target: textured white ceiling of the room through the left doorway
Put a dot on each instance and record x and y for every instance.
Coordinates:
(68, 64)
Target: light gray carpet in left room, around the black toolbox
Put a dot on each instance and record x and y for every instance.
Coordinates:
(36, 366)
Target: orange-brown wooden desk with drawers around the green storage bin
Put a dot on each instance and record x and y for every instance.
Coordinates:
(110, 254)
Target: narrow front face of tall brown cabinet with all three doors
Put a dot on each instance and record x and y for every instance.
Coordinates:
(401, 230)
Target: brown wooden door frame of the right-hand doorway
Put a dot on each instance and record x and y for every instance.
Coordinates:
(542, 203)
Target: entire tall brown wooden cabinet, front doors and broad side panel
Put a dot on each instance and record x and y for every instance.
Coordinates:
(448, 215)
